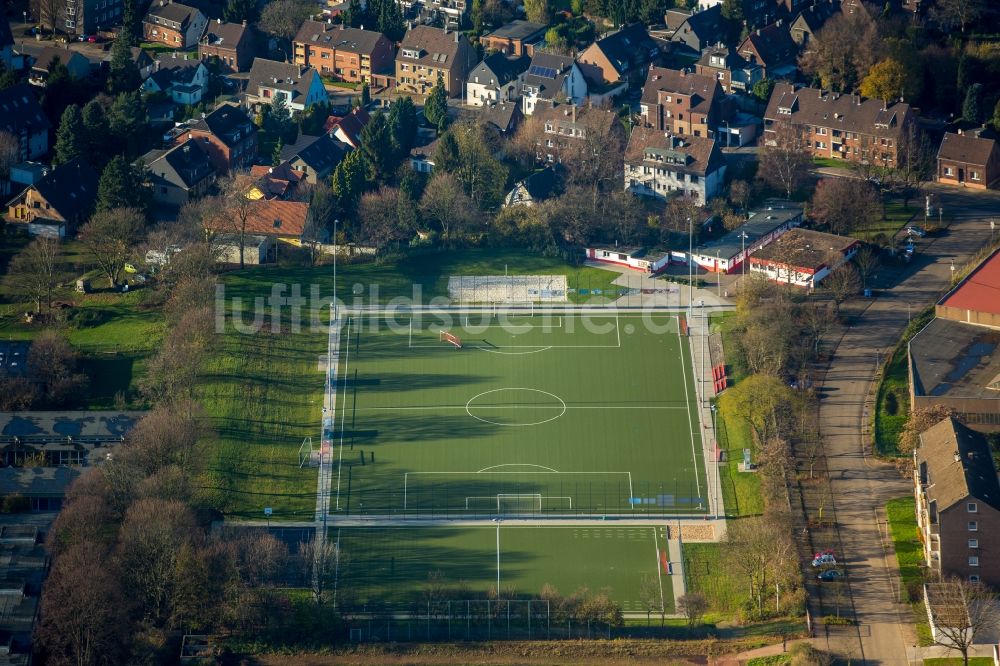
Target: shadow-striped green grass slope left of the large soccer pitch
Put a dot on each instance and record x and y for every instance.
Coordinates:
(261, 394)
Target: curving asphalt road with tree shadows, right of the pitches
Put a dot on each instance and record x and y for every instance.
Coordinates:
(861, 486)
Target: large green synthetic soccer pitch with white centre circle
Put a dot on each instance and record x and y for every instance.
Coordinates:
(560, 414)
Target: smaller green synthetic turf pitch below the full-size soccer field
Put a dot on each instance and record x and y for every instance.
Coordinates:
(395, 565)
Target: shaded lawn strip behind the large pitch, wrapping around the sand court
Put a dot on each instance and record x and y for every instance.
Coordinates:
(423, 276)
